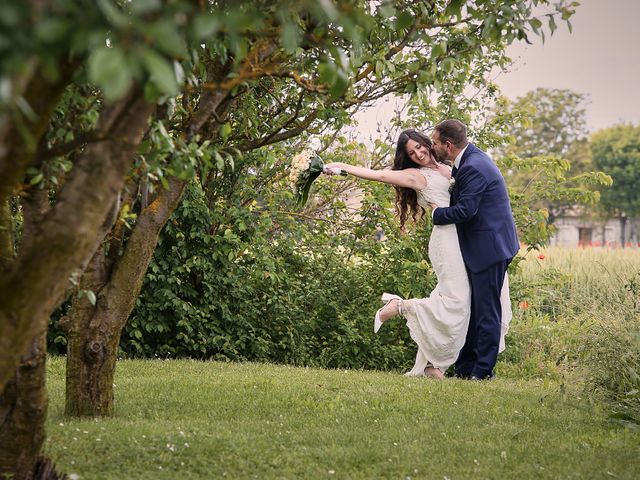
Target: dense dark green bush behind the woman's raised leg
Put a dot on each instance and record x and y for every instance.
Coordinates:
(297, 293)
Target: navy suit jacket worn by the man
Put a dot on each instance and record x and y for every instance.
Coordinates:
(481, 210)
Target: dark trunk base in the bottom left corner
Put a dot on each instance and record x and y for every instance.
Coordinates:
(23, 410)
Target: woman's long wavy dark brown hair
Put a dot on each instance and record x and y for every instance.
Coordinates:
(407, 198)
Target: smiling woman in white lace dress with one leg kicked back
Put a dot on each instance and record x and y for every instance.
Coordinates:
(438, 324)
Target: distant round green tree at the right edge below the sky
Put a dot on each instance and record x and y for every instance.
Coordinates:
(616, 151)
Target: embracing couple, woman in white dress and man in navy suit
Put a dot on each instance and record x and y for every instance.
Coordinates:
(474, 239)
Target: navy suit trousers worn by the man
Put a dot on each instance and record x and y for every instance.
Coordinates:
(480, 352)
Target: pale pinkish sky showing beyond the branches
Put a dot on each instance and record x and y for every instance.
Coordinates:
(601, 58)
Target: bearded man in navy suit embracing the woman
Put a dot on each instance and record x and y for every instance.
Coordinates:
(481, 210)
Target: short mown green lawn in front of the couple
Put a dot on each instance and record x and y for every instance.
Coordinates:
(191, 420)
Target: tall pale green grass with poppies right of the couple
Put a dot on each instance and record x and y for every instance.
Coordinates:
(578, 317)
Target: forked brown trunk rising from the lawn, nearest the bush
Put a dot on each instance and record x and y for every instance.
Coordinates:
(94, 331)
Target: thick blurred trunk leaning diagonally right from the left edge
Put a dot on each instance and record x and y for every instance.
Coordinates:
(68, 234)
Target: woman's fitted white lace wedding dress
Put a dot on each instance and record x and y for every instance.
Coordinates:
(438, 324)
